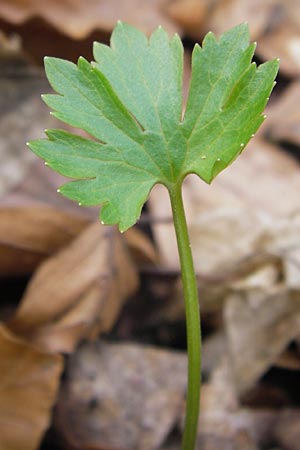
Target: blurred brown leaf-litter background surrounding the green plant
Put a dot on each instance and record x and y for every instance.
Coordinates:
(92, 333)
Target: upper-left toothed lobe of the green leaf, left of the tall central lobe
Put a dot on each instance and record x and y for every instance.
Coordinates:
(84, 89)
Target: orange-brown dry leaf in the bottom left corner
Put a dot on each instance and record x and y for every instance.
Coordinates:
(29, 381)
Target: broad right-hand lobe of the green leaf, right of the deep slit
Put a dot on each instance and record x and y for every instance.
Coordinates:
(223, 115)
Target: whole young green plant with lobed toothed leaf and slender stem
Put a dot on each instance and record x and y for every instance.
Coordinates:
(130, 102)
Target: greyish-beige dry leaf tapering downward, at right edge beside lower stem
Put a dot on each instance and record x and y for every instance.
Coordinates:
(260, 326)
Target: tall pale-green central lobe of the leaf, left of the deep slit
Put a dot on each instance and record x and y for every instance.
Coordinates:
(153, 67)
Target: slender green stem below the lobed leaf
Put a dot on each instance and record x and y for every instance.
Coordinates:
(192, 319)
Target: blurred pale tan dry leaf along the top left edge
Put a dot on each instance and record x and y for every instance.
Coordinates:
(78, 19)
